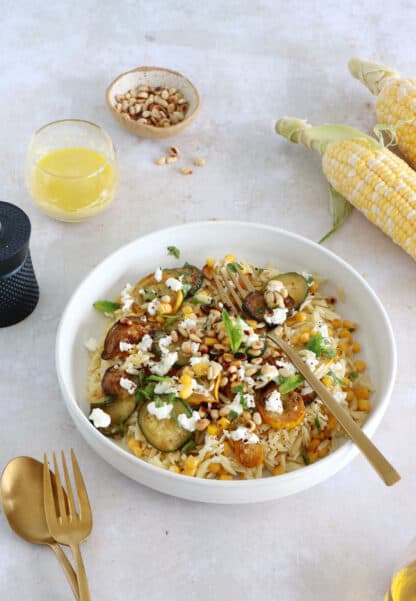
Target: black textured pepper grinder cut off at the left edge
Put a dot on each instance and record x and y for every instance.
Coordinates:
(19, 290)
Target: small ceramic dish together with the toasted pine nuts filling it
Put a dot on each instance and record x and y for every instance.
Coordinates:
(152, 102)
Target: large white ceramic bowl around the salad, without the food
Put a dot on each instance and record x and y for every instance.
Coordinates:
(259, 244)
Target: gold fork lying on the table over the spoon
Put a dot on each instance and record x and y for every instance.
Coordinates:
(65, 524)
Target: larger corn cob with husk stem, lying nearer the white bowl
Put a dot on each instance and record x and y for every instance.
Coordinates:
(368, 175)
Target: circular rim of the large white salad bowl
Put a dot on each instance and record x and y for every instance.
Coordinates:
(338, 458)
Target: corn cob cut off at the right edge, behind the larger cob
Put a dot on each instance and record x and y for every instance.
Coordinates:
(395, 104)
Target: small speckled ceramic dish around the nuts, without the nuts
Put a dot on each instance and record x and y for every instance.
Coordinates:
(153, 76)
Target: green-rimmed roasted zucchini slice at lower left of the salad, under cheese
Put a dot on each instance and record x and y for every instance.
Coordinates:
(166, 435)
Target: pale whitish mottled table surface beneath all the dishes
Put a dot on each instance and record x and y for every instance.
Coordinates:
(252, 62)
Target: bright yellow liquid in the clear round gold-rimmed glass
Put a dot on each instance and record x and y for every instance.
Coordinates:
(73, 183)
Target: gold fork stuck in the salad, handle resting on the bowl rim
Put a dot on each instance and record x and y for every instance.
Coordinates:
(232, 295)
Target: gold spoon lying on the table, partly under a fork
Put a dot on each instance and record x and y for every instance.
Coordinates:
(21, 493)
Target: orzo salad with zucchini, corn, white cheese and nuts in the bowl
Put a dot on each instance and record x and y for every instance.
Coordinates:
(187, 385)
